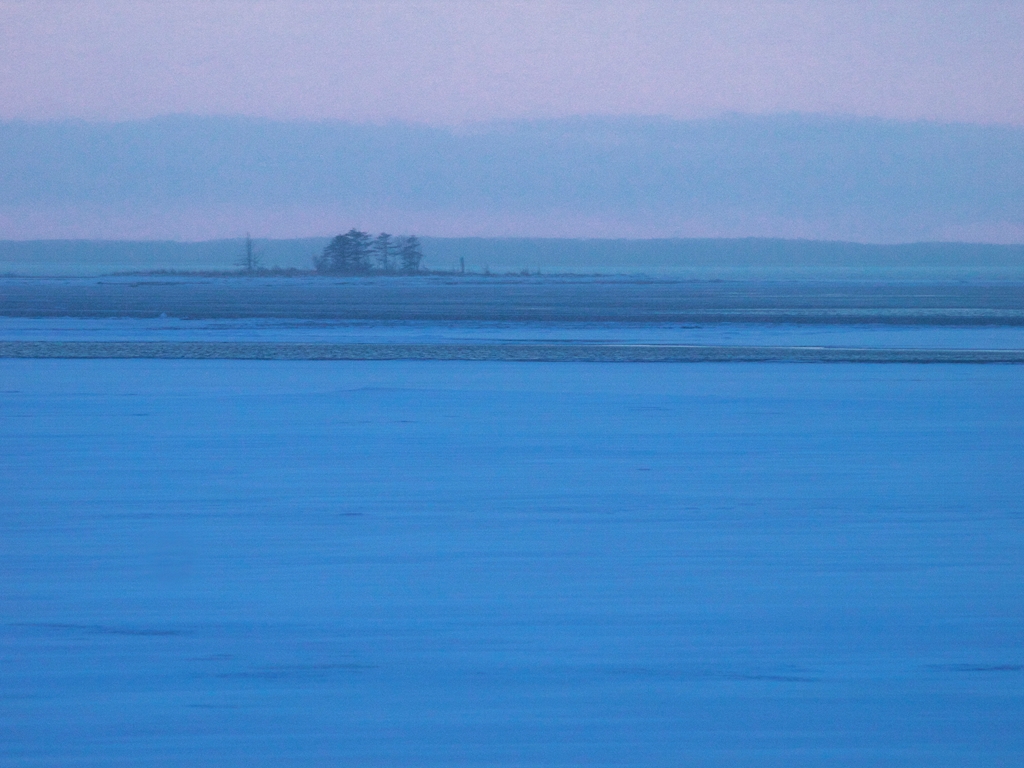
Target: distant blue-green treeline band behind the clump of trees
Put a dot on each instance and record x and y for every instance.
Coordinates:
(687, 259)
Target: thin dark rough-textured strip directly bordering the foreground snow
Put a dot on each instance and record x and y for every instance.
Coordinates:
(575, 353)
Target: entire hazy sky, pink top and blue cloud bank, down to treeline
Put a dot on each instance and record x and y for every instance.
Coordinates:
(349, 78)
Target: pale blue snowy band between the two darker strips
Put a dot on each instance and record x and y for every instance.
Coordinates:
(168, 329)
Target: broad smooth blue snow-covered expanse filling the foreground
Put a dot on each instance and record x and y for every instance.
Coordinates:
(234, 564)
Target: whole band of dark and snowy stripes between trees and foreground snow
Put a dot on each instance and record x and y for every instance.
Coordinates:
(627, 320)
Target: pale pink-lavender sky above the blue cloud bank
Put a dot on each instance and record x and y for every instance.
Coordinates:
(451, 62)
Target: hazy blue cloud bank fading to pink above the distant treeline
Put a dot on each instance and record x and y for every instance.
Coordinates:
(805, 177)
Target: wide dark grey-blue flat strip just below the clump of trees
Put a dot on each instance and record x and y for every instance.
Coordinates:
(549, 300)
